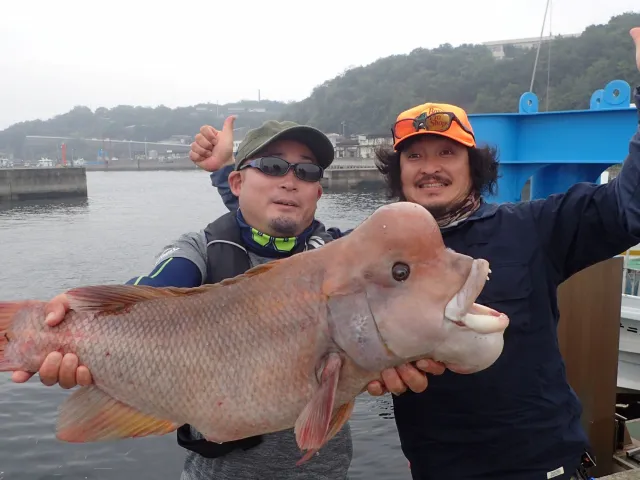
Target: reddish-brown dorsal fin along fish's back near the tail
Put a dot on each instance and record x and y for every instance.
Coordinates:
(117, 297)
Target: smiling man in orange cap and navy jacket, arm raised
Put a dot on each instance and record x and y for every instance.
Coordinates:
(519, 419)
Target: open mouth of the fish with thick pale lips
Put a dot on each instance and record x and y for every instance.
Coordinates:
(464, 312)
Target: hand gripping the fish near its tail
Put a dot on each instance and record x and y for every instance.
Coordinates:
(57, 368)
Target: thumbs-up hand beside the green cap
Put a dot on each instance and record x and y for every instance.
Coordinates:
(213, 148)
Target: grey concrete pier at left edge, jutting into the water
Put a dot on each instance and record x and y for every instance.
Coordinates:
(42, 183)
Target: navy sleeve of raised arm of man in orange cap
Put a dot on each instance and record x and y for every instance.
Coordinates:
(590, 223)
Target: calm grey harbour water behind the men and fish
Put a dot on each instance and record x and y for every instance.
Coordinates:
(109, 238)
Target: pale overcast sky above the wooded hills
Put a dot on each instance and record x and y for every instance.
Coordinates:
(55, 55)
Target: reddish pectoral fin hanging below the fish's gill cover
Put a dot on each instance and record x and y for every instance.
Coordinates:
(313, 423)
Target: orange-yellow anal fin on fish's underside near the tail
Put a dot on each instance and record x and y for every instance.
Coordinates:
(90, 415)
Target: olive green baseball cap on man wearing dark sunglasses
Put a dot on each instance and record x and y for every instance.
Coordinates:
(272, 130)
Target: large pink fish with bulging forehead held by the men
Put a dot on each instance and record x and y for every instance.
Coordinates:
(288, 344)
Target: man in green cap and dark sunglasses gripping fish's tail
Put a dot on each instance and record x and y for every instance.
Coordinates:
(276, 178)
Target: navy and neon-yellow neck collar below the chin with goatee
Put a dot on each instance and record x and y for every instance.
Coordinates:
(265, 245)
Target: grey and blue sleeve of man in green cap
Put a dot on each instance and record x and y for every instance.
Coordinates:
(182, 263)
